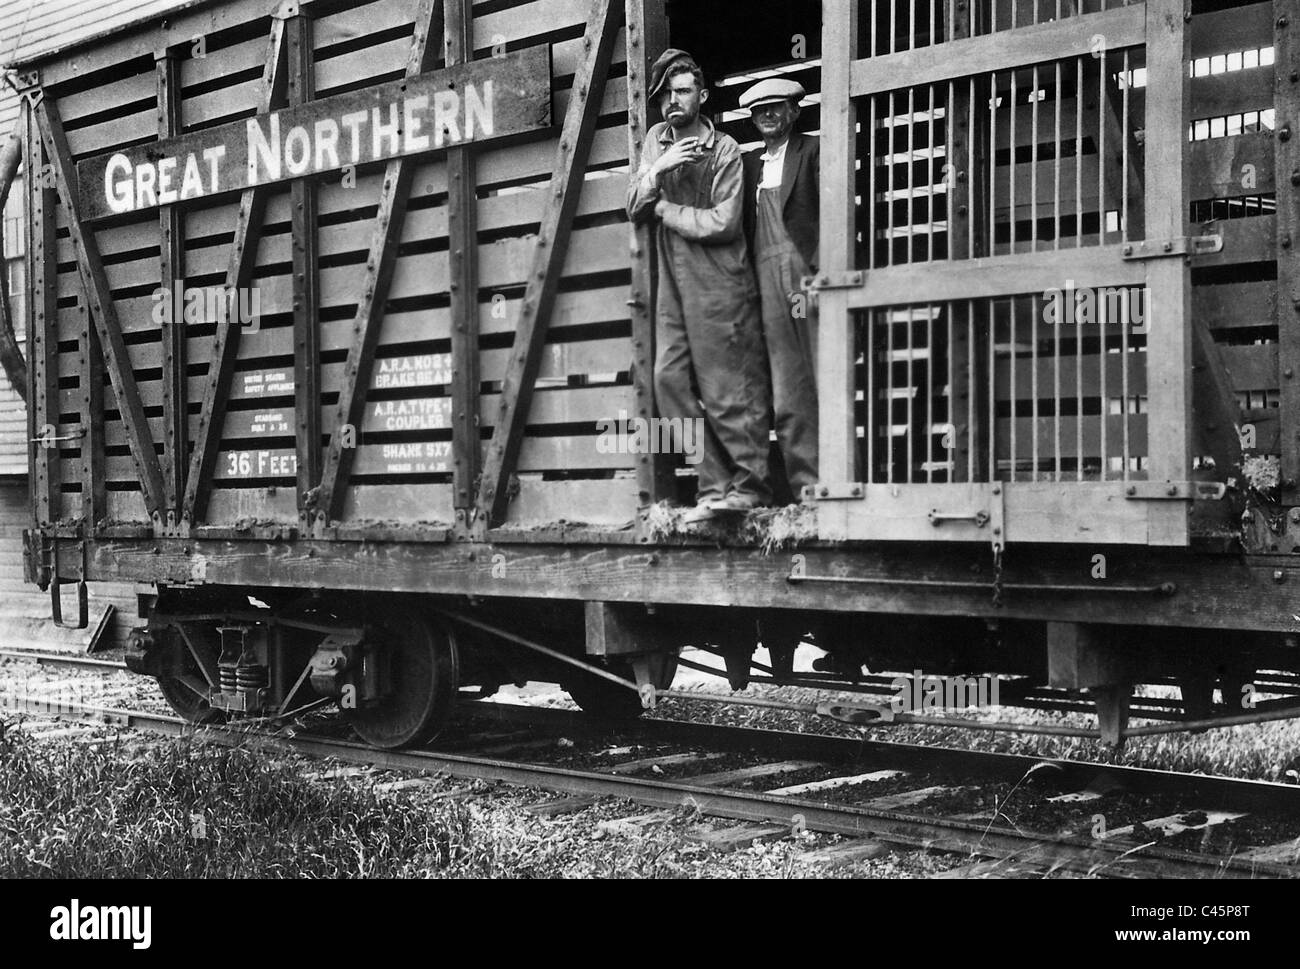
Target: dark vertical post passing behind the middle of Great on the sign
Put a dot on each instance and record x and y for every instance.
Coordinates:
(176, 422)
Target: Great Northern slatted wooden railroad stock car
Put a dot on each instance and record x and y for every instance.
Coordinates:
(335, 305)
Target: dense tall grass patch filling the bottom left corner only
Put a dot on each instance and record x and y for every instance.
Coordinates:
(190, 810)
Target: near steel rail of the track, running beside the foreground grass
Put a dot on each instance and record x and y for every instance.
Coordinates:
(907, 830)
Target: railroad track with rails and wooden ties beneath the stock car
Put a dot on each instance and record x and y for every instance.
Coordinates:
(746, 776)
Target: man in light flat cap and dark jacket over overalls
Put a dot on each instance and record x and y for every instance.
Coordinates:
(782, 218)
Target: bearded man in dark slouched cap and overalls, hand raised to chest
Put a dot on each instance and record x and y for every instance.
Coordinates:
(710, 358)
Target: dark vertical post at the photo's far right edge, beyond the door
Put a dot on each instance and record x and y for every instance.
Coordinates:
(1286, 101)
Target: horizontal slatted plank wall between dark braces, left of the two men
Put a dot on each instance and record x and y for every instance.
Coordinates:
(404, 466)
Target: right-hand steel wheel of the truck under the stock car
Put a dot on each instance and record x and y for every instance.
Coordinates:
(424, 672)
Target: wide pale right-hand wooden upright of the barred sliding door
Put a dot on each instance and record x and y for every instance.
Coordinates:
(1169, 358)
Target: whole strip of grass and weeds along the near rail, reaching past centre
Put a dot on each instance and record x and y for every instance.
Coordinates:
(131, 811)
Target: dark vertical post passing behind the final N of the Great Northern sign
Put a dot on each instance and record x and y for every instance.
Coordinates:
(463, 263)
